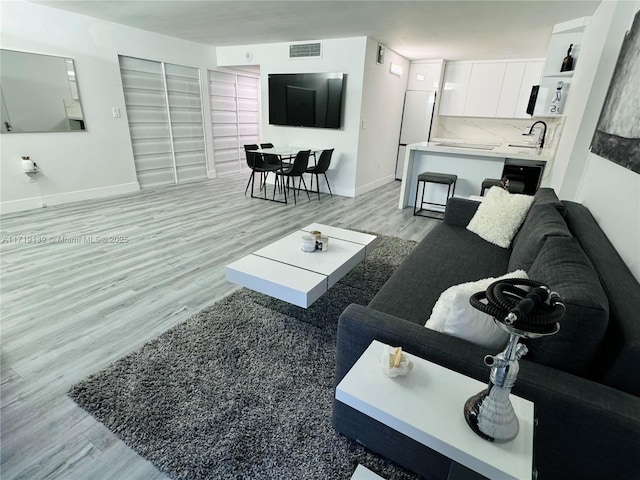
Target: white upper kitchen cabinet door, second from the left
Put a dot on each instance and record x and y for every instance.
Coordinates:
(485, 85)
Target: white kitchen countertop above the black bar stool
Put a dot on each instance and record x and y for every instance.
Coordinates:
(480, 148)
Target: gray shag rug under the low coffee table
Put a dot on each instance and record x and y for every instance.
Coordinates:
(244, 389)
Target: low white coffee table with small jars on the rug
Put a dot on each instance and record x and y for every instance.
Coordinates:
(282, 270)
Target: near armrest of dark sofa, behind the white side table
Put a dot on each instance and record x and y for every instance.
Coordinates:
(585, 429)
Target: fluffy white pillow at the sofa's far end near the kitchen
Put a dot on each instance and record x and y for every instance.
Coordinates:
(499, 216)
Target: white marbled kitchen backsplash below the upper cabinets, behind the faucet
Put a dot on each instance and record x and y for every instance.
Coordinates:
(494, 130)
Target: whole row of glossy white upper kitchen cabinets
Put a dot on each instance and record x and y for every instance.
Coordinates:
(493, 89)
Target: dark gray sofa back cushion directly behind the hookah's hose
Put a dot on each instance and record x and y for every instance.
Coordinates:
(564, 267)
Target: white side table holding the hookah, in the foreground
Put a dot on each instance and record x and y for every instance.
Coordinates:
(427, 406)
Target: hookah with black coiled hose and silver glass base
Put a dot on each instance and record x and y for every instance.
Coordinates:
(524, 313)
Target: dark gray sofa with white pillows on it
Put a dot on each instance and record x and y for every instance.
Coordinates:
(584, 381)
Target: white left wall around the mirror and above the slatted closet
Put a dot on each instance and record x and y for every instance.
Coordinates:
(99, 161)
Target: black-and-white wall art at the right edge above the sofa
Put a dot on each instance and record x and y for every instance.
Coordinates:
(617, 135)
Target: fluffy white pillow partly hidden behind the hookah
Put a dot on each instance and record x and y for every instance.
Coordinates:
(453, 314)
